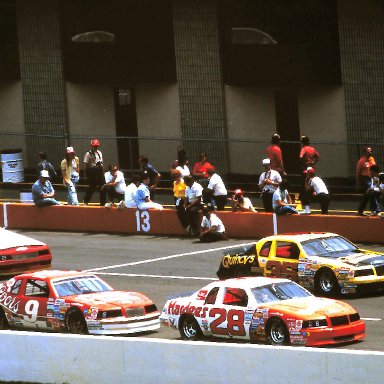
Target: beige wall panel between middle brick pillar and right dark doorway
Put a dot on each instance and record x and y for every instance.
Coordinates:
(251, 123)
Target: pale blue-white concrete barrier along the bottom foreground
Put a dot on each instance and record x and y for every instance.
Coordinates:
(61, 358)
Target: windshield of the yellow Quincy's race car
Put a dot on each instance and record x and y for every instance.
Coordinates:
(328, 246)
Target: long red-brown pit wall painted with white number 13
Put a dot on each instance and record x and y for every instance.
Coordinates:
(165, 222)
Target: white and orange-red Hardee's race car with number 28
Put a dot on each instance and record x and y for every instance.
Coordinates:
(273, 310)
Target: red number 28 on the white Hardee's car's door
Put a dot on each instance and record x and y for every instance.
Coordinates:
(234, 318)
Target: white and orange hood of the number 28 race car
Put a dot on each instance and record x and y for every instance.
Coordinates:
(312, 307)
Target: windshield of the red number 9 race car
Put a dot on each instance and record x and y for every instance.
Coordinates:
(80, 285)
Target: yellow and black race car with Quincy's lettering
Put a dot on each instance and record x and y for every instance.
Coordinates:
(325, 263)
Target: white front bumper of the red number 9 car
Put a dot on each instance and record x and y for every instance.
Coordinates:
(123, 325)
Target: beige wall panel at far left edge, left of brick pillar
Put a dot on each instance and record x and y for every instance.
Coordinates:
(12, 117)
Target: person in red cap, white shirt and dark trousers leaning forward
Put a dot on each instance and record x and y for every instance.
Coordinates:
(317, 190)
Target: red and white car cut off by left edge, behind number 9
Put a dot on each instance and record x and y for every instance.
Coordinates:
(19, 254)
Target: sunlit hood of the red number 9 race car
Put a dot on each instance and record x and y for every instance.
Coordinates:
(111, 298)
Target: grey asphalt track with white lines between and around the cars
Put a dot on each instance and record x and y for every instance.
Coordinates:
(165, 266)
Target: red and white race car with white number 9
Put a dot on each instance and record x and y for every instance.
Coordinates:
(74, 302)
